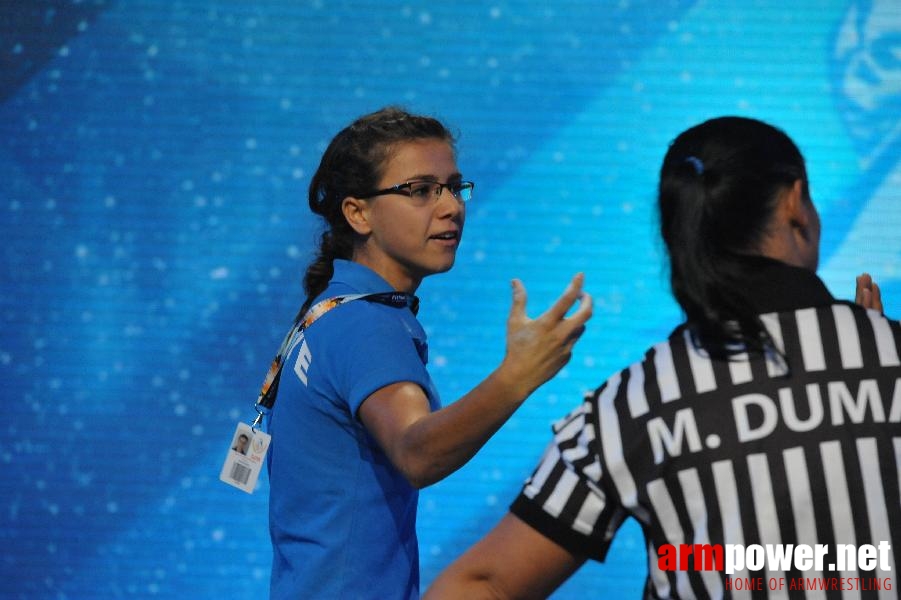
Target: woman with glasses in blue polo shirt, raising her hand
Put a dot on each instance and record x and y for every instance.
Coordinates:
(358, 426)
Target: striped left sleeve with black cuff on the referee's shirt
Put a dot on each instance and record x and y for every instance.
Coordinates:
(564, 499)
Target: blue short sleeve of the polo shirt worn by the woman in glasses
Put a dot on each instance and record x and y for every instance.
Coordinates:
(366, 346)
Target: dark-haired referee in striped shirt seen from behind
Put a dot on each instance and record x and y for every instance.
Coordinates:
(759, 446)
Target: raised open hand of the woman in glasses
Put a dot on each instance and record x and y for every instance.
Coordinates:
(538, 348)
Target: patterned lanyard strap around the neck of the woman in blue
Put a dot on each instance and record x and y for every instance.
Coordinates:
(266, 399)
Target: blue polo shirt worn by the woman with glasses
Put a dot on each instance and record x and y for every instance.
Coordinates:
(341, 517)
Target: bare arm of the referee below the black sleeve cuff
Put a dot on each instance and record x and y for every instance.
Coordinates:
(512, 561)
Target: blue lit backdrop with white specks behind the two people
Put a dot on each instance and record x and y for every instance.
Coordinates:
(153, 166)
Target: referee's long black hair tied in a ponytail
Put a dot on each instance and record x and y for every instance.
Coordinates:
(719, 186)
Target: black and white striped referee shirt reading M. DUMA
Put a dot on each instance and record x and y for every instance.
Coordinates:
(765, 450)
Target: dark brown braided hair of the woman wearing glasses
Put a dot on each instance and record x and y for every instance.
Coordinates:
(352, 165)
